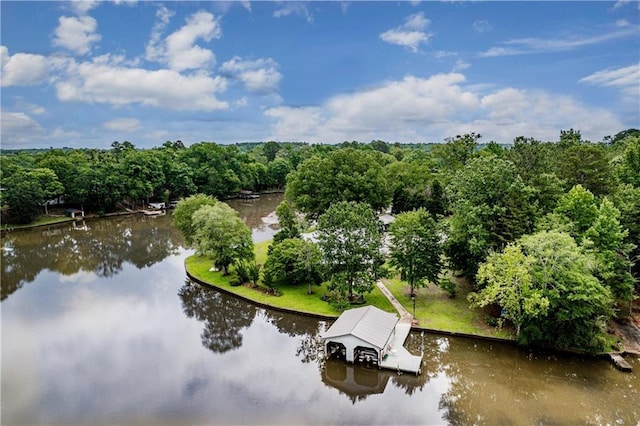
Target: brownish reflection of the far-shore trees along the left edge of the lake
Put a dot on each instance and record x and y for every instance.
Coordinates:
(100, 246)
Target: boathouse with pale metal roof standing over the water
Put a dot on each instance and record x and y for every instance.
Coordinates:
(361, 334)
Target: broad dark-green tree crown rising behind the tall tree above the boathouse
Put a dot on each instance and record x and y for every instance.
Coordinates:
(344, 175)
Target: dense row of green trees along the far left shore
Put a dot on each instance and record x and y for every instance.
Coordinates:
(102, 180)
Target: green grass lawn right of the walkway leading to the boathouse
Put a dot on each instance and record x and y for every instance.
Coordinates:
(436, 310)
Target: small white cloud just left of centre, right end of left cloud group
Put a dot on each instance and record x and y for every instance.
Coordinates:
(260, 75)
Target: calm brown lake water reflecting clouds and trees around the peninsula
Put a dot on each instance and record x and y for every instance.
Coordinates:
(100, 326)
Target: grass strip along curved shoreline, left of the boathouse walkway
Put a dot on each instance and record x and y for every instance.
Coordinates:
(294, 298)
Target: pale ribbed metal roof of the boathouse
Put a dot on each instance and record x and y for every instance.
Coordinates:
(368, 323)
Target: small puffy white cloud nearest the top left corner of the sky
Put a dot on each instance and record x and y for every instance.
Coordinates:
(76, 34)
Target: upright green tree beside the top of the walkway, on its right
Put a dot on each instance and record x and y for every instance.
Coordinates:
(415, 248)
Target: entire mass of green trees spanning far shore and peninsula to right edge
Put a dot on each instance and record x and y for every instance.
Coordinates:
(546, 231)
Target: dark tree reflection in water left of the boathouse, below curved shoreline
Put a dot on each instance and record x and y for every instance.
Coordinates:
(224, 316)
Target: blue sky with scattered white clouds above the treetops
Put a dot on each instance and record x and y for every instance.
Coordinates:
(85, 74)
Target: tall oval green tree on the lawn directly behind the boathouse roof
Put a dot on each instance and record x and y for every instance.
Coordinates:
(349, 235)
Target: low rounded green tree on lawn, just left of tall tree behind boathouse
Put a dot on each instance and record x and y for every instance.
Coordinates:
(294, 261)
